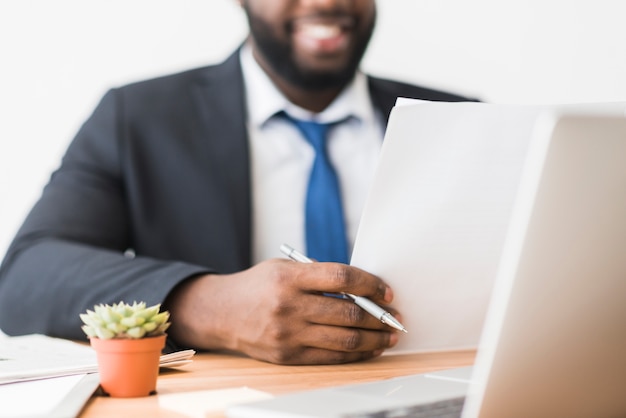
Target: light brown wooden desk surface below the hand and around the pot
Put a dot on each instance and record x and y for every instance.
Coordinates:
(221, 371)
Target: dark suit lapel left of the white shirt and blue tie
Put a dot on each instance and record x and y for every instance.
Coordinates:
(219, 96)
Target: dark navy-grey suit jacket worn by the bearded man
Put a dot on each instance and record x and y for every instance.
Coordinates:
(161, 167)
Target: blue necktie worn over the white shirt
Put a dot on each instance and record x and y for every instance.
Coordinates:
(325, 225)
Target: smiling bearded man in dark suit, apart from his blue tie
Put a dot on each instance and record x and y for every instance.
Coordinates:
(177, 190)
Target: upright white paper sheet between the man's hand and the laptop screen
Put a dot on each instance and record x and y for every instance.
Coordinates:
(436, 217)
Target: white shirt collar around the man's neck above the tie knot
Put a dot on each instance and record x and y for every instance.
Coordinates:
(264, 100)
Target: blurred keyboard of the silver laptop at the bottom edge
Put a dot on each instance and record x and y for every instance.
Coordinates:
(449, 408)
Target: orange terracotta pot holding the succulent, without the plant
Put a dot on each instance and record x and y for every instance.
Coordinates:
(128, 368)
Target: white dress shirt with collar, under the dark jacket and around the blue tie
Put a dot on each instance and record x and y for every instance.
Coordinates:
(281, 158)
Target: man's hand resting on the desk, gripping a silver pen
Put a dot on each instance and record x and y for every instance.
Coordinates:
(275, 311)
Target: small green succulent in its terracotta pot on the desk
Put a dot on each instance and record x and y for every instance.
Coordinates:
(128, 340)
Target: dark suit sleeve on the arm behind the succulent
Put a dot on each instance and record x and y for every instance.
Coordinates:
(72, 250)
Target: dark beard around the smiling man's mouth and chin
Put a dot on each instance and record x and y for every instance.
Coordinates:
(279, 55)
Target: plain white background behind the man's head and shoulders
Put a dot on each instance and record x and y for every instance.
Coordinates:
(58, 58)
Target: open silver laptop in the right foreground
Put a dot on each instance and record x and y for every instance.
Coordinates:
(554, 340)
